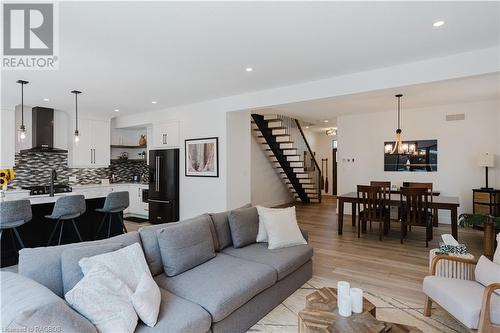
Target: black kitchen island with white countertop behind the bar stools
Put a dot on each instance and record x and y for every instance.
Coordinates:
(36, 232)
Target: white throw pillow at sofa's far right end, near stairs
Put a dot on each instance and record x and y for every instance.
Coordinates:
(282, 229)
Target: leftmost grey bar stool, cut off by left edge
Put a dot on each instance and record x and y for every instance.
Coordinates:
(14, 214)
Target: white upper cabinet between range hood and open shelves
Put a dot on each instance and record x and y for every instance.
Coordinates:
(92, 149)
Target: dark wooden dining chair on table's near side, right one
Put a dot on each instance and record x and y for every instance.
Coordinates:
(416, 211)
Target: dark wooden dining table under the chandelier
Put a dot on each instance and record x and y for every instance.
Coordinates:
(439, 202)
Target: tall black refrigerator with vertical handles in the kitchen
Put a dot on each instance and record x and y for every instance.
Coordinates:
(163, 196)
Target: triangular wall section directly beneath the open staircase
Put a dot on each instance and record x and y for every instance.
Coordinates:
(268, 189)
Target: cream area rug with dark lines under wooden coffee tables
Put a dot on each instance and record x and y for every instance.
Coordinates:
(283, 319)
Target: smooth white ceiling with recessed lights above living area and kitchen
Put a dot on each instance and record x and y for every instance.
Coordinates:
(126, 54)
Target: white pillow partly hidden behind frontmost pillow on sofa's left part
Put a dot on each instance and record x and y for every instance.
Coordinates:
(128, 264)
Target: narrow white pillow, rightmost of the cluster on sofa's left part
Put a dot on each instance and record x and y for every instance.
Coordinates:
(146, 300)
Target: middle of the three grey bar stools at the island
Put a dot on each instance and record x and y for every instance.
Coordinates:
(67, 208)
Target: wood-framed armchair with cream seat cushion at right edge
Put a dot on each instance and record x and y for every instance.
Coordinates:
(475, 305)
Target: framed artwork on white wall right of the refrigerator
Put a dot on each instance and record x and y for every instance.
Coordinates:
(202, 157)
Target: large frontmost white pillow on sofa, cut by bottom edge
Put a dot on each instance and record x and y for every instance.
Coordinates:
(104, 299)
